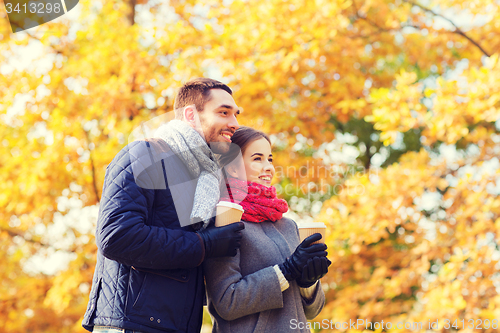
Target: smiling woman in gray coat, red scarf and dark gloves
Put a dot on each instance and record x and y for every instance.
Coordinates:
(272, 284)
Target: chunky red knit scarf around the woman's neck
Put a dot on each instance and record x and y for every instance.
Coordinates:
(259, 202)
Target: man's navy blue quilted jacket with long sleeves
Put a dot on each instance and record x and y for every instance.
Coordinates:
(148, 275)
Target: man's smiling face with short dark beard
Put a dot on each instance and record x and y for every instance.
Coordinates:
(218, 120)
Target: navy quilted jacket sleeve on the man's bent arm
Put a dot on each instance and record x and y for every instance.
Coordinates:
(122, 232)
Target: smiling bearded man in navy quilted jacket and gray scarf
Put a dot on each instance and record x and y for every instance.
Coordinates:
(157, 197)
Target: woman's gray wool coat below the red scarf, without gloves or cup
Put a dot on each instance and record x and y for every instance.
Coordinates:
(244, 293)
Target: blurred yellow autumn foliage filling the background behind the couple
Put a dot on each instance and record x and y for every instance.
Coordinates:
(384, 120)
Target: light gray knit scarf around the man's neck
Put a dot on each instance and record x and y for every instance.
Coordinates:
(193, 150)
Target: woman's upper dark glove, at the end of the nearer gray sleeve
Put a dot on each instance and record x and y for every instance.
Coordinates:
(293, 266)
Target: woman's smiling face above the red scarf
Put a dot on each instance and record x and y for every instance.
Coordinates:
(257, 163)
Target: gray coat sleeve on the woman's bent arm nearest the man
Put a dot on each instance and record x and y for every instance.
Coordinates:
(234, 296)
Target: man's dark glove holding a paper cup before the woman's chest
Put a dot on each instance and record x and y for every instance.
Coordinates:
(222, 241)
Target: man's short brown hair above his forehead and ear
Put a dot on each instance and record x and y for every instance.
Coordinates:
(196, 92)
